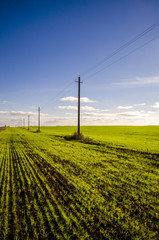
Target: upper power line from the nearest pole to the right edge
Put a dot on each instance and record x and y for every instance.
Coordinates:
(127, 44)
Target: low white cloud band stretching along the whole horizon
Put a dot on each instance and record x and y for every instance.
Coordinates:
(87, 118)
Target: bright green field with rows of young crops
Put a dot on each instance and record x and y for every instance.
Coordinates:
(106, 187)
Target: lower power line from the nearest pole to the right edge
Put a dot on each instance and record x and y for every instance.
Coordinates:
(119, 59)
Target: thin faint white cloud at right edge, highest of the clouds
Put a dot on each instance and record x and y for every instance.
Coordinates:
(140, 81)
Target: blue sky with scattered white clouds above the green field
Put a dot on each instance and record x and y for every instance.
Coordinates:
(46, 45)
